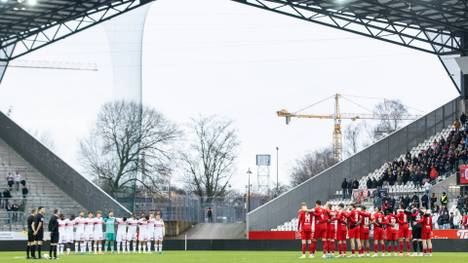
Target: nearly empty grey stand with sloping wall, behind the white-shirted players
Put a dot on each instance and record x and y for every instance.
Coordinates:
(50, 181)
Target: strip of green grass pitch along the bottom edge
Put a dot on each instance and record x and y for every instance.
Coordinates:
(232, 257)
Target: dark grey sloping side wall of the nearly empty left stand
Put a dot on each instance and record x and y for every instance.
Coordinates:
(57, 171)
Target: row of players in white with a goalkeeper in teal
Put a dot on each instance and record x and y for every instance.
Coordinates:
(93, 233)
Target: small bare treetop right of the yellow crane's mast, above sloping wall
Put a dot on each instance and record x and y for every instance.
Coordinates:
(392, 112)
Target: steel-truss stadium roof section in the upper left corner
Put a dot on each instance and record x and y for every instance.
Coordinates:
(26, 25)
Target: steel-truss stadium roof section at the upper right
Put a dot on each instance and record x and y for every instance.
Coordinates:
(435, 26)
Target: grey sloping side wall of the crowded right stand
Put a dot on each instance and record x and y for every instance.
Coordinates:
(324, 185)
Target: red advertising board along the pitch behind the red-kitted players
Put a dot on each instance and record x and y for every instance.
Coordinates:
(291, 235)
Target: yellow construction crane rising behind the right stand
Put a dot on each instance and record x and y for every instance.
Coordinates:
(337, 117)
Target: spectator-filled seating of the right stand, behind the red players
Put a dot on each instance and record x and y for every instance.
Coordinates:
(443, 152)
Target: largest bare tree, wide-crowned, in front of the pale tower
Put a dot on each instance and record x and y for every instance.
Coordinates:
(131, 145)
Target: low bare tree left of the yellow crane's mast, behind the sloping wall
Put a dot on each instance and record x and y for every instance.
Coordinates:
(312, 164)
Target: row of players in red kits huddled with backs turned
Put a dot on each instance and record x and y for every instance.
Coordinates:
(339, 224)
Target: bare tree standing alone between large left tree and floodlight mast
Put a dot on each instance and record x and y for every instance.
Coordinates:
(209, 159)
